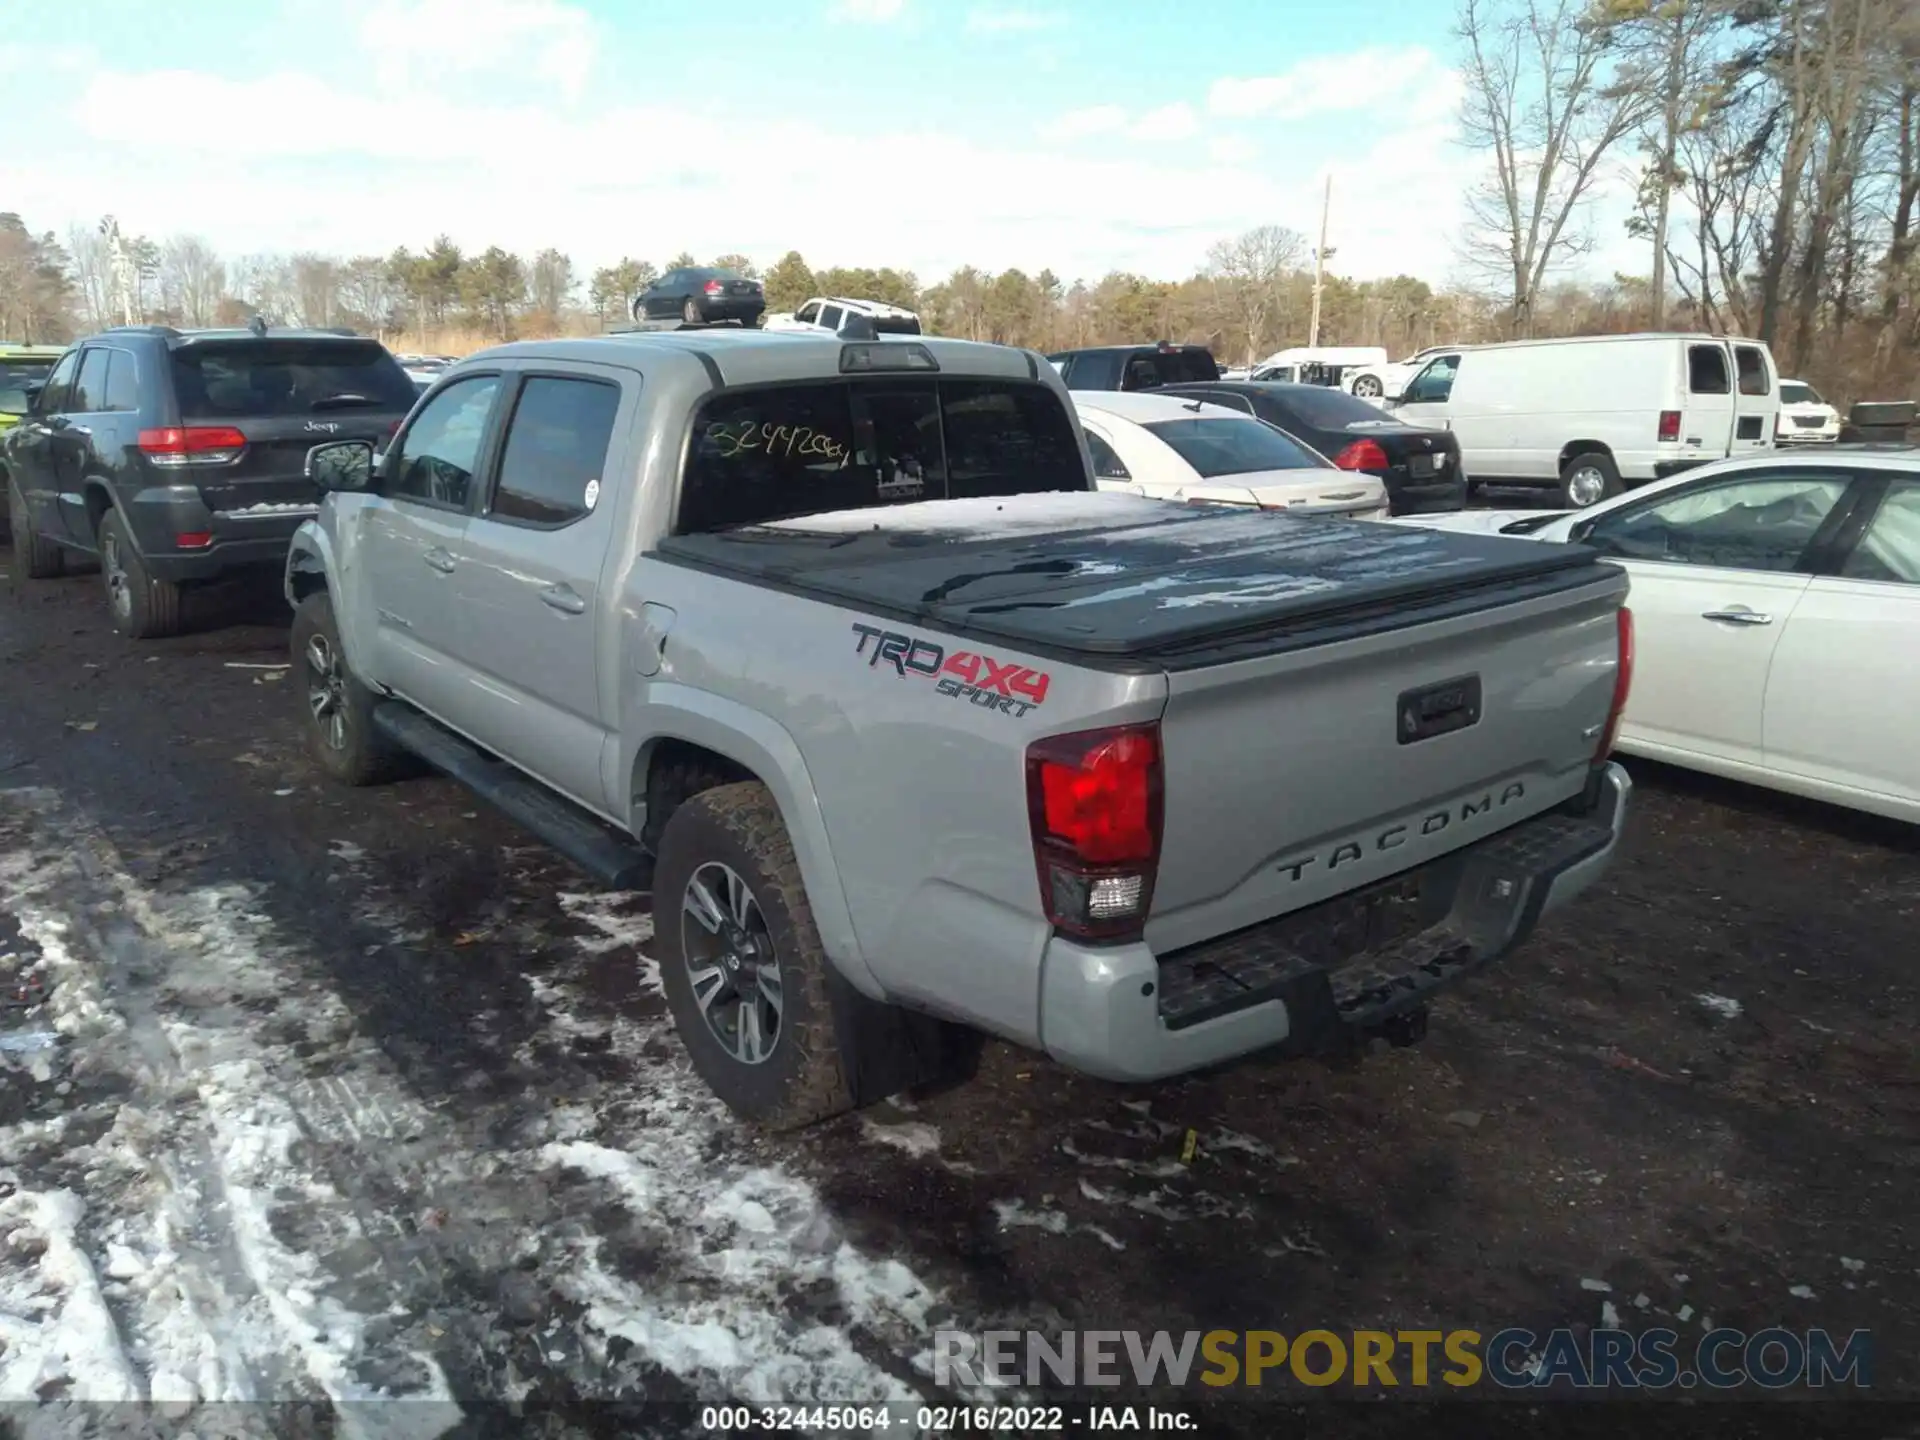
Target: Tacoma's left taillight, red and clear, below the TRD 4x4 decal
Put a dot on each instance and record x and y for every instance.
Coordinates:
(1095, 807)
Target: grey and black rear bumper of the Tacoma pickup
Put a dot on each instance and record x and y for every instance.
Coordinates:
(1128, 1015)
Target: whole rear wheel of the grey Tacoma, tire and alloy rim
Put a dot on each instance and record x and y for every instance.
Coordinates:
(742, 963)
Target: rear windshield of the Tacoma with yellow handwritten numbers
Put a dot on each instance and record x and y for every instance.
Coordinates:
(775, 454)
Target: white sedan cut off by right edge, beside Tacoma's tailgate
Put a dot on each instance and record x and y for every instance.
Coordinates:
(1777, 619)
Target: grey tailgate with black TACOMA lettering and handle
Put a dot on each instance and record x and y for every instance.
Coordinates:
(1297, 777)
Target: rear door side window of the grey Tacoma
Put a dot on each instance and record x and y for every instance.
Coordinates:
(550, 471)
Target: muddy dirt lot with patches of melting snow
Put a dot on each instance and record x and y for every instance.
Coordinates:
(402, 1040)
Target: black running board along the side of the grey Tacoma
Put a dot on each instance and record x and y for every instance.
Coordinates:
(600, 850)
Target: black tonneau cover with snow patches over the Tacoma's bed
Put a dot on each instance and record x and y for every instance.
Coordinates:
(1136, 581)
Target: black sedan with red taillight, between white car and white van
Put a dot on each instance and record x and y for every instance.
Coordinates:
(1418, 466)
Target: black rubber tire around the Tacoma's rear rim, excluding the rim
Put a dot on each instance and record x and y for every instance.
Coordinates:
(804, 1078)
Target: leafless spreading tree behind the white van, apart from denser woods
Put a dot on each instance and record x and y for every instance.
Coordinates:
(1541, 99)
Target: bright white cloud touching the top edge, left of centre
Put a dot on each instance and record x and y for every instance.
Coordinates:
(427, 41)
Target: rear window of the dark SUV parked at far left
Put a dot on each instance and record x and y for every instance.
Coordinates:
(287, 377)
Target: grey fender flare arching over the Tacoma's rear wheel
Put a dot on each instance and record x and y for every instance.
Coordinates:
(763, 746)
